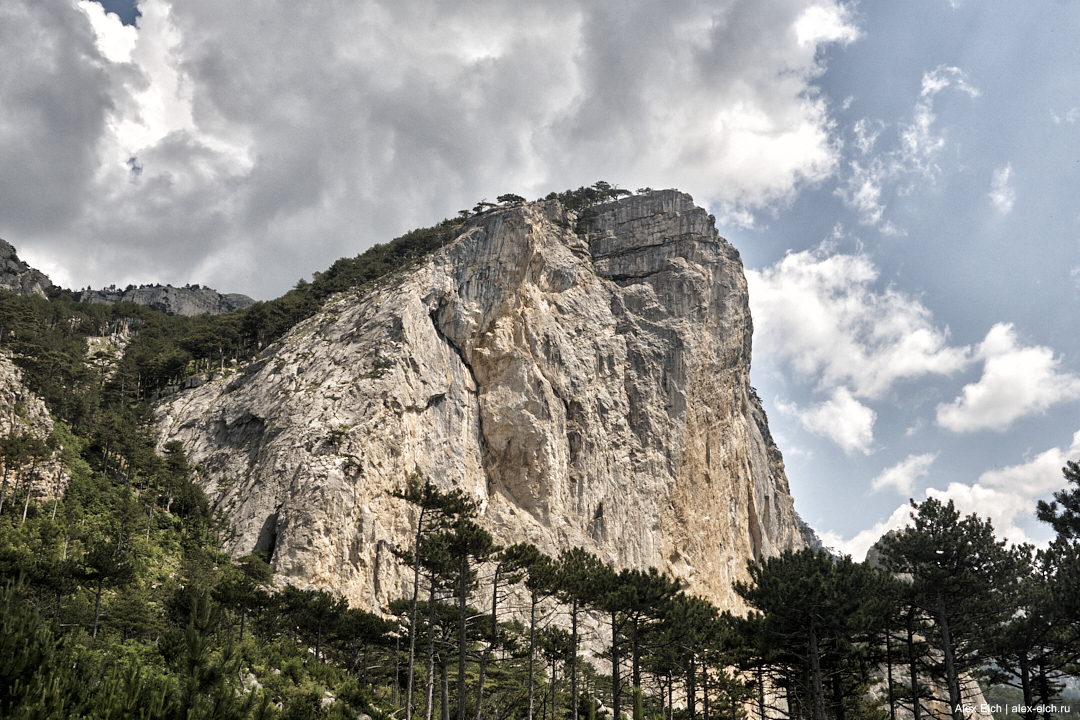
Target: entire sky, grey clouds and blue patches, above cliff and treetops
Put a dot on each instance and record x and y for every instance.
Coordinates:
(901, 181)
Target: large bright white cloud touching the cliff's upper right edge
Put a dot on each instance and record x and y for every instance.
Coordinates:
(820, 314)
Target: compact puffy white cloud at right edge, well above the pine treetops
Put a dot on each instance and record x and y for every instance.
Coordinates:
(1017, 382)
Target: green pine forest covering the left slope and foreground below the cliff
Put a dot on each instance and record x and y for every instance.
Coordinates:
(118, 604)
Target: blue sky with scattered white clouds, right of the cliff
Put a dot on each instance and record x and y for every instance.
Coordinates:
(968, 218)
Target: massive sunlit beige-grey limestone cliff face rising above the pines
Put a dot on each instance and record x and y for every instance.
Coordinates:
(589, 389)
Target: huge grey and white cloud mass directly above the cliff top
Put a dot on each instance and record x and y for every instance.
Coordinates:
(242, 143)
